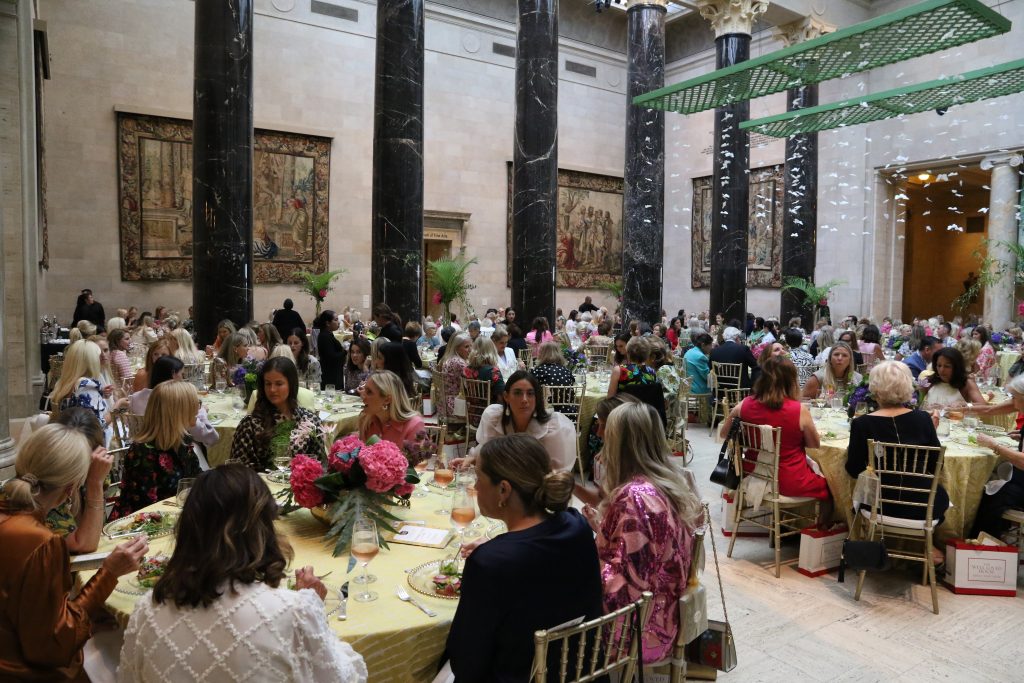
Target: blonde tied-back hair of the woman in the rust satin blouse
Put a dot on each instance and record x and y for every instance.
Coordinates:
(55, 457)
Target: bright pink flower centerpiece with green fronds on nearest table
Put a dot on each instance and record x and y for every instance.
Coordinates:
(359, 480)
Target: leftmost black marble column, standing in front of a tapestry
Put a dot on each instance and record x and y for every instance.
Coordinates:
(223, 165)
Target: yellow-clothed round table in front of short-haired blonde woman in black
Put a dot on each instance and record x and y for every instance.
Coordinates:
(965, 472)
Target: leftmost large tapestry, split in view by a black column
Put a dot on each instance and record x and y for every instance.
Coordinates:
(291, 175)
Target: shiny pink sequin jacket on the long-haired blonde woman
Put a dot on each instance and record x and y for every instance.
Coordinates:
(644, 546)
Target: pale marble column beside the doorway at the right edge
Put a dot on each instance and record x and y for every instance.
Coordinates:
(1003, 207)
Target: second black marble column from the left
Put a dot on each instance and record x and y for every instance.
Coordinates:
(398, 210)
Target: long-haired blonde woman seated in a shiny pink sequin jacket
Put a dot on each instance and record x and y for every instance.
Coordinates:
(646, 526)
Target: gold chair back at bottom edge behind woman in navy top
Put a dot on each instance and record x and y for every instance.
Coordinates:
(601, 647)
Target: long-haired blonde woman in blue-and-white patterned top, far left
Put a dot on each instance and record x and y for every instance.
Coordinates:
(80, 386)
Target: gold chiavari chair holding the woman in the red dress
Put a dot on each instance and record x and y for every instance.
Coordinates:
(761, 486)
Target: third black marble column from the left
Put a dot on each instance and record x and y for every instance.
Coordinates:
(535, 161)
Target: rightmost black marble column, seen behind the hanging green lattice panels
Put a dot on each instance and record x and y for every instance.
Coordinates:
(800, 208)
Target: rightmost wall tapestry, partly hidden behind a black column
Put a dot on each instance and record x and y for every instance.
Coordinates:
(764, 250)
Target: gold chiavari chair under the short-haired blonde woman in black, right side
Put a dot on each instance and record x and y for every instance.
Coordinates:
(907, 475)
